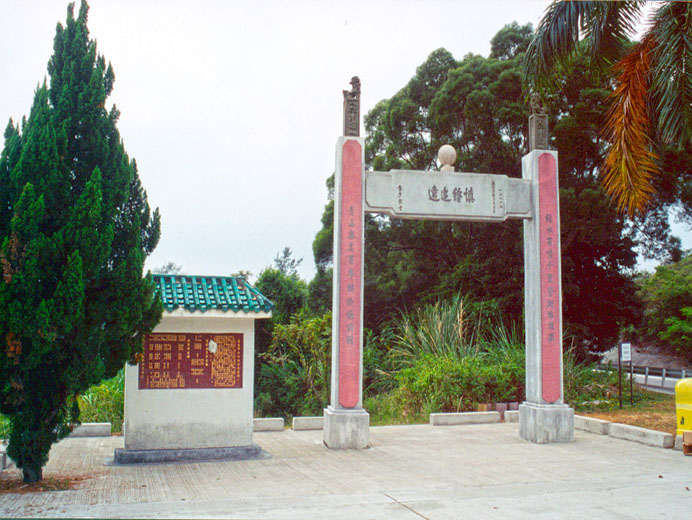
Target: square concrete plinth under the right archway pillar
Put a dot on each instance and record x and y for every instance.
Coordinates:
(546, 423)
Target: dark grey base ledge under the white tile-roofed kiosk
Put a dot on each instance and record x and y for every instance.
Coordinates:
(249, 452)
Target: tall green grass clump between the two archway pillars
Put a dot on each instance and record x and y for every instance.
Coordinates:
(453, 355)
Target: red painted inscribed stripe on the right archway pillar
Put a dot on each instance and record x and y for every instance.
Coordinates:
(551, 311)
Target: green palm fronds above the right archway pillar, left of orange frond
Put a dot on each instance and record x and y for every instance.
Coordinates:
(605, 26)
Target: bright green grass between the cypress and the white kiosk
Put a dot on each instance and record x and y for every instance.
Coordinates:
(104, 402)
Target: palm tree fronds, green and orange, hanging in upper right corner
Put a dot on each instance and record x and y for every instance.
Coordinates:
(651, 104)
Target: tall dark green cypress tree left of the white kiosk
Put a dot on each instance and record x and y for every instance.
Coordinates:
(75, 229)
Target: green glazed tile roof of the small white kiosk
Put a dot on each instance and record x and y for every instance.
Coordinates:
(201, 293)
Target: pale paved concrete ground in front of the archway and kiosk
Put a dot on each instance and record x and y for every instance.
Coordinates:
(410, 472)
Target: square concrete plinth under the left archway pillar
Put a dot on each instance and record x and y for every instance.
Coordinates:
(346, 429)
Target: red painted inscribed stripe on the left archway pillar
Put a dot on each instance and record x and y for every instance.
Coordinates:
(350, 273)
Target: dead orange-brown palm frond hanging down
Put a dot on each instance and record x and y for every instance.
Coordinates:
(629, 166)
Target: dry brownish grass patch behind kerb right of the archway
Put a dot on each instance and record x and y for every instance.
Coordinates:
(650, 410)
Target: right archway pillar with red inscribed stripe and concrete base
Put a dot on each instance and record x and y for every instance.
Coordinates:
(543, 417)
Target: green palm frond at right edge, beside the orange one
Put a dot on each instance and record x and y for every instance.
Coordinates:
(672, 72)
